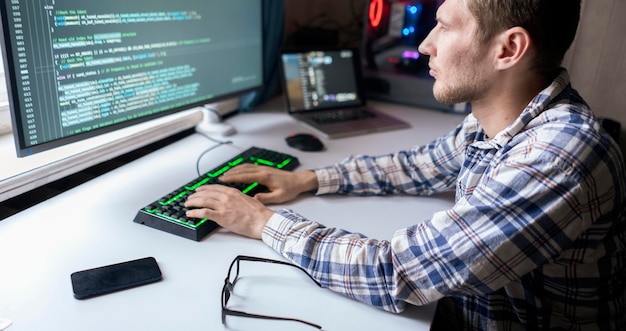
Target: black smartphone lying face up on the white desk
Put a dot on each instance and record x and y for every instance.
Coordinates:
(115, 277)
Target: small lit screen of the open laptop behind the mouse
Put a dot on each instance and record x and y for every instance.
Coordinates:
(321, 79)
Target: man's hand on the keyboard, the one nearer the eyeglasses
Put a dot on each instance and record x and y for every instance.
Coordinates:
(229, 208)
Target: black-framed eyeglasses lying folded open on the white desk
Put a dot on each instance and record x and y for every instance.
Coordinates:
(229, 284)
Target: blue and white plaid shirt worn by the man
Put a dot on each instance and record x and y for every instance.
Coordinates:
(536, 238)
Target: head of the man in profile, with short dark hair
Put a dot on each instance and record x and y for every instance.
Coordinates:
(478, 43)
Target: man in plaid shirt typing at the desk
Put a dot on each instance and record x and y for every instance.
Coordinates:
(536, 238)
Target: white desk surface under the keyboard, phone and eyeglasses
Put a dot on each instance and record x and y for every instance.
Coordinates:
(91, 225)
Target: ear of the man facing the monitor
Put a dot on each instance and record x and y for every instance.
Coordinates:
(513, 47)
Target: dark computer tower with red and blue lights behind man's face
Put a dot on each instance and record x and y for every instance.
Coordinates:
(393, 69)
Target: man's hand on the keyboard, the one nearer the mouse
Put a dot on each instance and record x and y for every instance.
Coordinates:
(283, 185)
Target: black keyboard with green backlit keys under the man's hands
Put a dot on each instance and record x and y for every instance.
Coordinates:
(168, 213)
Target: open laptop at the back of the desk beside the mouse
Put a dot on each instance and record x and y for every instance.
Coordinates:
(323, 89)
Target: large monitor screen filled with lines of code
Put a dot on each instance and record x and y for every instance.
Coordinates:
(77, 68)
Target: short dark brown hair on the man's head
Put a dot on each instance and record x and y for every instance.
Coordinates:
(551, 25)
